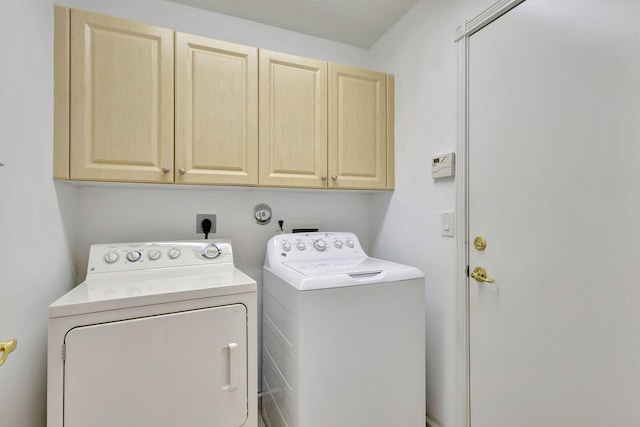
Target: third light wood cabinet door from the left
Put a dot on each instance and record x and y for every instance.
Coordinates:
(293, 121)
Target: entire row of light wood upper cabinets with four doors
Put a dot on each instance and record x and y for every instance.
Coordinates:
(138, 103)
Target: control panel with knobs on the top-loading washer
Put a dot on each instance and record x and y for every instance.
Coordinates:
(310, 246)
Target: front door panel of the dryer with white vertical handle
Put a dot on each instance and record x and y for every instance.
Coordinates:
(181, 369)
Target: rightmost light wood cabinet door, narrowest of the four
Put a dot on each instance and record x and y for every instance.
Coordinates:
(357, 128)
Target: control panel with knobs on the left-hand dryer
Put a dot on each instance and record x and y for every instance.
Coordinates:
(146, 255)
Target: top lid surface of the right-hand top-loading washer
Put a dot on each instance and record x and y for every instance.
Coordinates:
(342, 272)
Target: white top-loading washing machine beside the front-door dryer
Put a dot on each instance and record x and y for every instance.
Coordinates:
(343, 336)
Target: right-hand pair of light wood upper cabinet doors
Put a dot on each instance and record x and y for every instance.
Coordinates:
(323, 125)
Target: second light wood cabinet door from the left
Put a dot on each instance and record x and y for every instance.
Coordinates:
(216, 112)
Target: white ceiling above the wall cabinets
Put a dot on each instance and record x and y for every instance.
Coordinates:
(356, 22)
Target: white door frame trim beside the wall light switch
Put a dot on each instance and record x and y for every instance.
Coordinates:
(463, 33)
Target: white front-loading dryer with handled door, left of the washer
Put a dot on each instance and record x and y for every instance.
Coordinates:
(158, 335)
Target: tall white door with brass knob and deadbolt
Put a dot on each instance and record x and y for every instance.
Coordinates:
(554, 188)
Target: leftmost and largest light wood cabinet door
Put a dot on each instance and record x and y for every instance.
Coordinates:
(121, 100)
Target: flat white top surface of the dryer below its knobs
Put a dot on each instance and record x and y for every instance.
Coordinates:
(111, 291)
